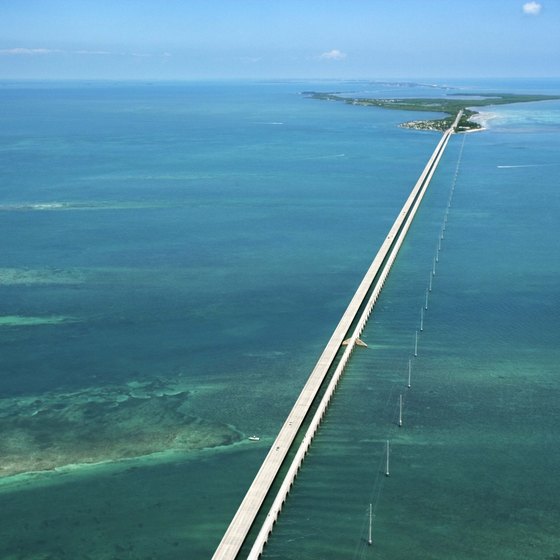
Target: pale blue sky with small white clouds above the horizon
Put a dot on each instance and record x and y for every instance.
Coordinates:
(193, 39)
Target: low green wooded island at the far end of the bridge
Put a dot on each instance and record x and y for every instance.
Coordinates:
(448, 105)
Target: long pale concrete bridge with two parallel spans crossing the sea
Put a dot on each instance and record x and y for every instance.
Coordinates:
(236, 533)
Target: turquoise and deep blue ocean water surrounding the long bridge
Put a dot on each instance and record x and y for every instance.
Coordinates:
(175, 257)
